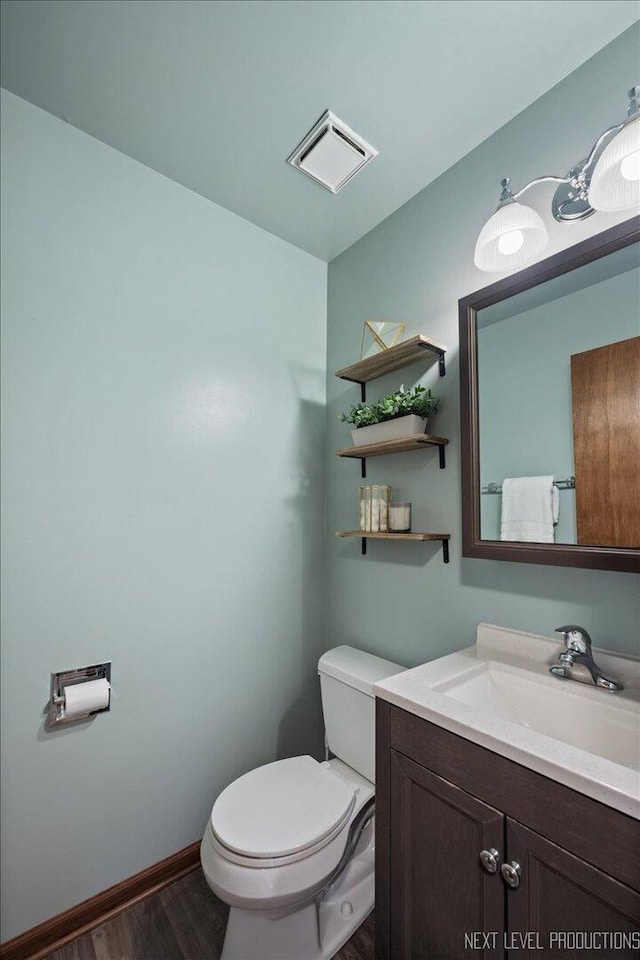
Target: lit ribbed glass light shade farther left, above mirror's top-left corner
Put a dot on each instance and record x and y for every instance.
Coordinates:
(514, 234)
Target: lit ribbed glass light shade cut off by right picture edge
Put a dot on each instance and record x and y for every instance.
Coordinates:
(615, 184)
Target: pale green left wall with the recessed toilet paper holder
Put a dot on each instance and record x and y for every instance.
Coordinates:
(163, 421)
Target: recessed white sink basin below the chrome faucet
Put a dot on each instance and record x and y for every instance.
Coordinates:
(595, 723)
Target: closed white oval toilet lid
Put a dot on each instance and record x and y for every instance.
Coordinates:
(281, 808)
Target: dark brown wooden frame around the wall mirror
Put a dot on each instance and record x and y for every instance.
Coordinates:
(562, 555)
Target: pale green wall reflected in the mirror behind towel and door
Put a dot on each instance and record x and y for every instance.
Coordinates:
(524, 371)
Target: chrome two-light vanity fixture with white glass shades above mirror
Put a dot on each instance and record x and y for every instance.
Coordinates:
(608, 180)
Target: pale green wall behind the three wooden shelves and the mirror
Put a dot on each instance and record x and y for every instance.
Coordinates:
(400, 600)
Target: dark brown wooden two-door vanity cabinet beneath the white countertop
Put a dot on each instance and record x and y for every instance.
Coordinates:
(440, 802)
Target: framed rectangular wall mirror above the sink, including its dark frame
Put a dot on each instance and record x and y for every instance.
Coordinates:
(550, 389)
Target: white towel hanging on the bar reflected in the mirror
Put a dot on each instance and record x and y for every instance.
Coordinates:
(530, 507)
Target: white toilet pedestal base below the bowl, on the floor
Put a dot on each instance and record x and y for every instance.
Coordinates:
(315, 931)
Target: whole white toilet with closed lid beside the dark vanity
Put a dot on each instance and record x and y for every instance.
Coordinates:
(290, 845)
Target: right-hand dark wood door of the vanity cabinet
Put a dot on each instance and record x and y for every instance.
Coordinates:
(562, 901)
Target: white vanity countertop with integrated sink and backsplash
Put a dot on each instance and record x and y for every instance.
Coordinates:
(500, 694)
